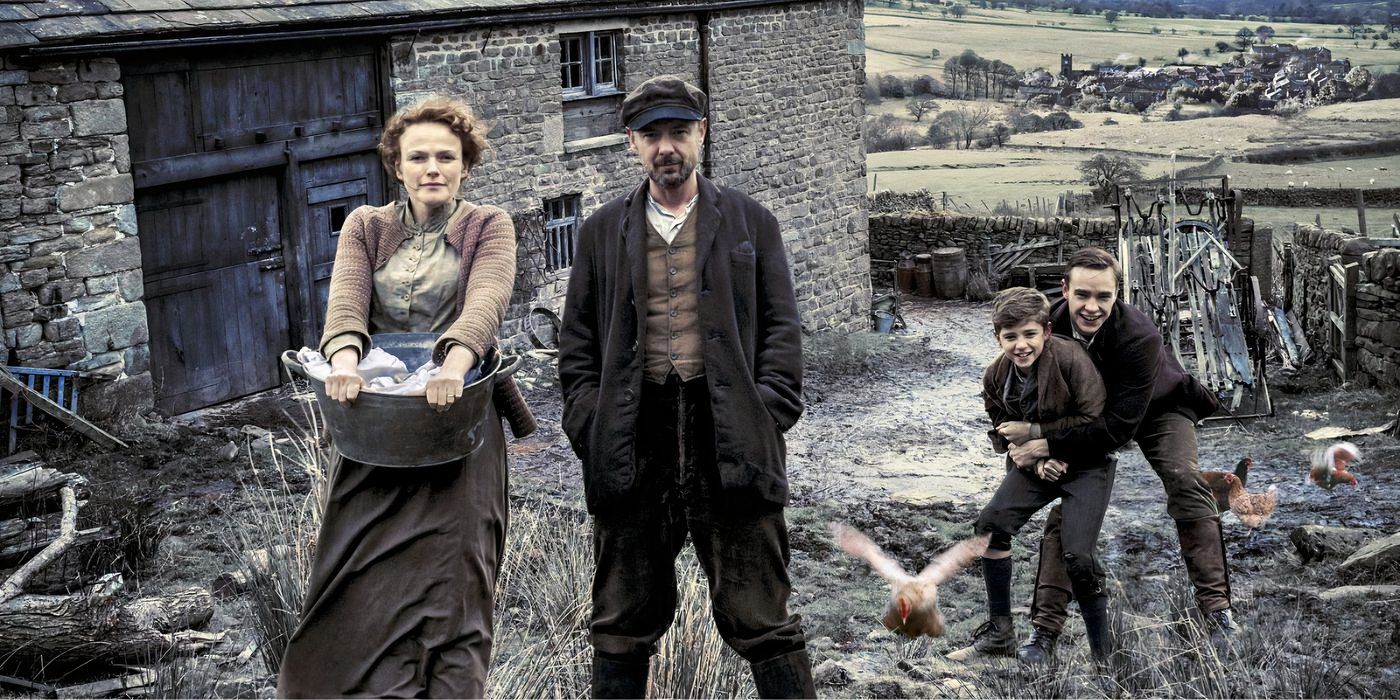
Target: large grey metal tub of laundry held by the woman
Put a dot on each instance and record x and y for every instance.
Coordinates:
(386, 430)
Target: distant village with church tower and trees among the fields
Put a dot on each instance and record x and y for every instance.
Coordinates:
(1263, 78)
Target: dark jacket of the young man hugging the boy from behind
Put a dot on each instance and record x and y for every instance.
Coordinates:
(1140, 376)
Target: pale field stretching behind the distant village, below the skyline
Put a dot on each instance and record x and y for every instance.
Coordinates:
(899, 43)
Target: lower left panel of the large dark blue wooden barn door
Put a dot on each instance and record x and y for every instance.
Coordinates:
(215, 300)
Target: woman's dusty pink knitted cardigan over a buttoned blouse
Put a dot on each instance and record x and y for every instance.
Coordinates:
(485, 237)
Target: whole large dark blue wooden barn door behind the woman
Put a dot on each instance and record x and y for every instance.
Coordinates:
(246, 164)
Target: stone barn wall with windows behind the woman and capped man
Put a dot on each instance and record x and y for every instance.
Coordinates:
(786, 129)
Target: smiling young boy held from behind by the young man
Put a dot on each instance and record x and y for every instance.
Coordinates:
(1039, 384)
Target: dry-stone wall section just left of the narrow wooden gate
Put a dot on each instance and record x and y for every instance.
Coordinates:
(1312, 248)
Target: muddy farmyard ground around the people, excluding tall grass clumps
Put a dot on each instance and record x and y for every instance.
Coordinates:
(894, 442)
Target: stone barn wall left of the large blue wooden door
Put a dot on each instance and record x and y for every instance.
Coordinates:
(71, 267)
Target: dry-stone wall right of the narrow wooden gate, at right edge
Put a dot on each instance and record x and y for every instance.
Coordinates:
(1378, 318)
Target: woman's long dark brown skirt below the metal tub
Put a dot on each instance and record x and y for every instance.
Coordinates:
(401, 594)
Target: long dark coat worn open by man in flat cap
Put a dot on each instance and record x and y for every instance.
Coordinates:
(751, 335)
